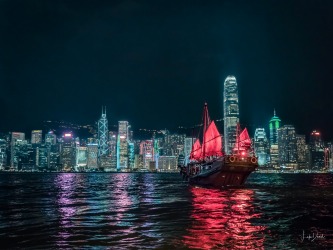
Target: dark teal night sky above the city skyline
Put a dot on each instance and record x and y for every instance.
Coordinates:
(155, 63)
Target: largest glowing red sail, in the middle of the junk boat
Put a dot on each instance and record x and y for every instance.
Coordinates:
(213, 142)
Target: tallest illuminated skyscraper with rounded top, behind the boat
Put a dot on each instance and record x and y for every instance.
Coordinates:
(231, 113)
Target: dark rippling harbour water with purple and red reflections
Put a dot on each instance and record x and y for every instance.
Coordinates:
(159, 211)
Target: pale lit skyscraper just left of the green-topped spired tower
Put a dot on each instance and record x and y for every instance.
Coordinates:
(261, 146)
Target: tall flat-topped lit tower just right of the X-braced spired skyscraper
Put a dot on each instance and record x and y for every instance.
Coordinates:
(122, 146)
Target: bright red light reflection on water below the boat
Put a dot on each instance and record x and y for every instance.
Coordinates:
(221, 219)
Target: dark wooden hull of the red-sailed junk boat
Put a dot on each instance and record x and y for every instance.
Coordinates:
(223, 173)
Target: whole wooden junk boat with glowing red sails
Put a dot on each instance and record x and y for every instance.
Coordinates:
(209, 166)
